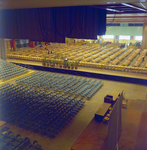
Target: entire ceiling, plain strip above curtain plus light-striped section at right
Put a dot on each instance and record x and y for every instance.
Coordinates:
(117, 10)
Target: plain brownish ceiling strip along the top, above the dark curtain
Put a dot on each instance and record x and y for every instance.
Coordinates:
(16, 4)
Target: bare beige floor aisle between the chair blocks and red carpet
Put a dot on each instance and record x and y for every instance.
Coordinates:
(67, 137)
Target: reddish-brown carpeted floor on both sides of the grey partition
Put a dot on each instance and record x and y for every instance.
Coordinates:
(134, 130)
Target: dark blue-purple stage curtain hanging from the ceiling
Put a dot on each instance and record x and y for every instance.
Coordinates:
(53, 24)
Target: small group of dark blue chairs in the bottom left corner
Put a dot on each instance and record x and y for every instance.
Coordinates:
(10, 141)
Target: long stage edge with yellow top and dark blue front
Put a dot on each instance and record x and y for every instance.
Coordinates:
(121, 76)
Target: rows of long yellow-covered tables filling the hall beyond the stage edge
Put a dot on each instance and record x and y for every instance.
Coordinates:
(99, 57)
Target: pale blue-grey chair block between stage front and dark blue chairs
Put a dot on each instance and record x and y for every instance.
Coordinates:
(65, 84)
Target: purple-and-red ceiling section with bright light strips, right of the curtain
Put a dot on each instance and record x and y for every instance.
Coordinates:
(126, 12)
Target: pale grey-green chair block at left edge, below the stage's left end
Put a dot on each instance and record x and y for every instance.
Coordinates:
(8, 70)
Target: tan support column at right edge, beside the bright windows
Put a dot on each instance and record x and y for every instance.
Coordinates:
(144, 37)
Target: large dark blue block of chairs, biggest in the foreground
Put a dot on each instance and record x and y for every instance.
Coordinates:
(43, 112)
